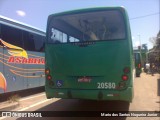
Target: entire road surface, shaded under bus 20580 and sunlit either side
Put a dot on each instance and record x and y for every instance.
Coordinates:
(145, 99)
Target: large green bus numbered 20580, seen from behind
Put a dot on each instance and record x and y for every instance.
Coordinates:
(89, 55)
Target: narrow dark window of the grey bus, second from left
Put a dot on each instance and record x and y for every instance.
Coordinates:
(28, 41)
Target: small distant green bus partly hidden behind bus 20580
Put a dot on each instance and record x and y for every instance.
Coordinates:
(138, 63)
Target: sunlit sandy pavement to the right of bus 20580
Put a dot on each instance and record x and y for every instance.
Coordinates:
(146, 97)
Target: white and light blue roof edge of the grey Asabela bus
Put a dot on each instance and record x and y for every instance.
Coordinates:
(10, 22)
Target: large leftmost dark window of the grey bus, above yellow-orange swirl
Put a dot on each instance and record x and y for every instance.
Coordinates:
(12, 35)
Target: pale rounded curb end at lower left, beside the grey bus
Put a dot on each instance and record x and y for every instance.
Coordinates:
(6, 106)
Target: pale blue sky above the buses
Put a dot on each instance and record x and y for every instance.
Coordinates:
(144, 15)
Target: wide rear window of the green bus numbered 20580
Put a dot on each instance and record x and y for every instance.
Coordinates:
(91, 26)
